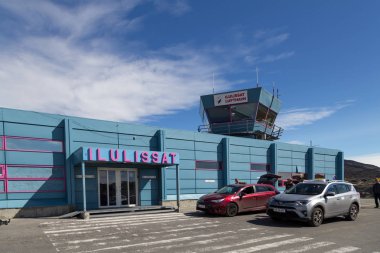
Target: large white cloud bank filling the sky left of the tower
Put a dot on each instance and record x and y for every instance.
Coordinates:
(56, 73)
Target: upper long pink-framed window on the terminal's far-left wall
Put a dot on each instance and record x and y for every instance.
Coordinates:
(32, 144)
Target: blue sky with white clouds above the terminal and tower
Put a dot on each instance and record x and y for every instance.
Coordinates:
(149, 61)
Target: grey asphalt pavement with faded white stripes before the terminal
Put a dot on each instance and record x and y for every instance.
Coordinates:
(192, 231)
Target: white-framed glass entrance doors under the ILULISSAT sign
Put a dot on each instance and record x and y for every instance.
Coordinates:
(117, 187)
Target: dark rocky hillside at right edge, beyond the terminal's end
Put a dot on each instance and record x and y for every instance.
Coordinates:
(362, 175)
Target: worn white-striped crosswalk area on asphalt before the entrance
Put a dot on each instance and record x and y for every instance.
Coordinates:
(176, 232)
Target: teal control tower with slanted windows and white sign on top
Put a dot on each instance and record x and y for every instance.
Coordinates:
(247, 113)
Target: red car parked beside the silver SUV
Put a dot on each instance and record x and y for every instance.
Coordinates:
(236, 198)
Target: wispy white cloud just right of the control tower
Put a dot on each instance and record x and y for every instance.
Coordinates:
(305, 116)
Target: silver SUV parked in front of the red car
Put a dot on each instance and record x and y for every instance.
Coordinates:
(313, 201)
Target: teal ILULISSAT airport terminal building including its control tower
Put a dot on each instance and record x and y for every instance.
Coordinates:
(63, 163)
